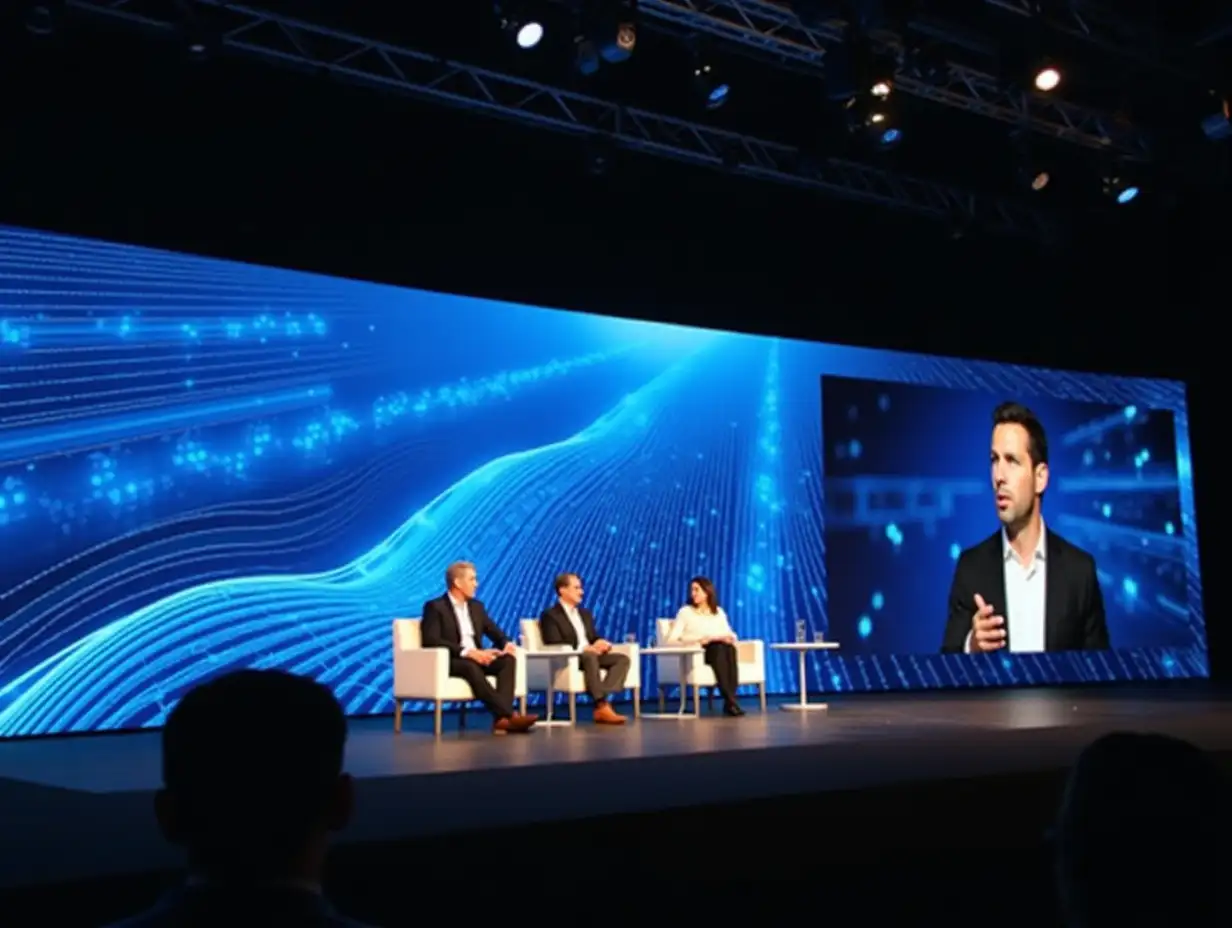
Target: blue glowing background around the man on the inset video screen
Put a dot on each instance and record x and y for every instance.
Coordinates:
(900, 515)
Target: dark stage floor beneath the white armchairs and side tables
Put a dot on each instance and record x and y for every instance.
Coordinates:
(65, 802)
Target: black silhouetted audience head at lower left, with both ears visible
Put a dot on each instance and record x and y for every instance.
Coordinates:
(253, 777)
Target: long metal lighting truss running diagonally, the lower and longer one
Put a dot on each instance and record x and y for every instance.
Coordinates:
(299, 44)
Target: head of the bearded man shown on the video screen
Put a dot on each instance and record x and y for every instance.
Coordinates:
(1019, 464)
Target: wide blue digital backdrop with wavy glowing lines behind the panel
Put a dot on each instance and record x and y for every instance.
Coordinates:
(206, 465)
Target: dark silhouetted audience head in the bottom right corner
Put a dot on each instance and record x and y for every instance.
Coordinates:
(1141, 835)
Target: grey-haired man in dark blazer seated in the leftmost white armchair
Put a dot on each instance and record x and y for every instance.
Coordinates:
(459, 623)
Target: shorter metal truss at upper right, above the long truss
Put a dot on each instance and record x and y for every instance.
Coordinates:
(774, 30)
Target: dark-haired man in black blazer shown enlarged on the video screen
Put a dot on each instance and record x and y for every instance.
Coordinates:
(1026, 588)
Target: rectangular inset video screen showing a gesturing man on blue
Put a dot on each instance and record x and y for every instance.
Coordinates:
(918, 479)
